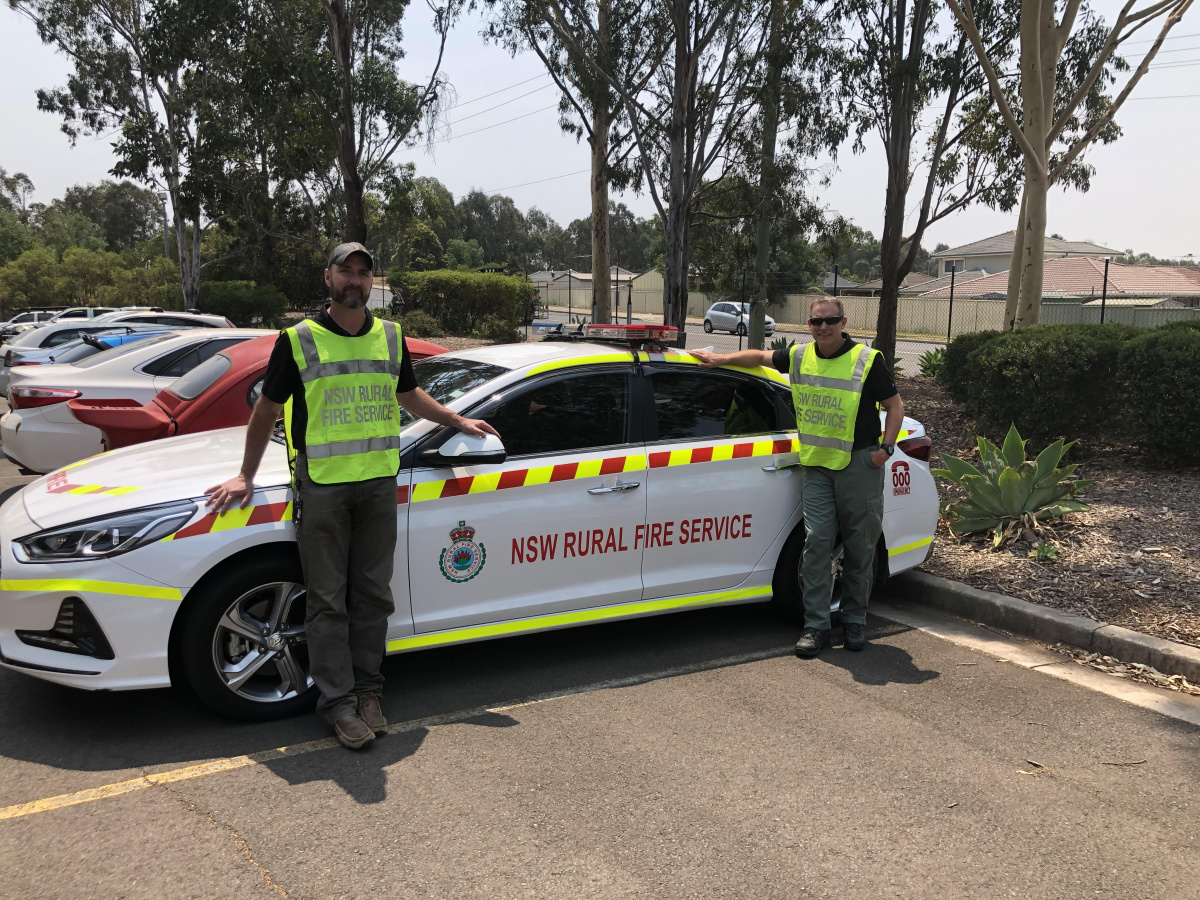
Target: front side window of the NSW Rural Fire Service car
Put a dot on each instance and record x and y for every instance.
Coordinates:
(566, 416)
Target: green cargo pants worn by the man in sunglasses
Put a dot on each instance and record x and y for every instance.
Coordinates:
(848, 502)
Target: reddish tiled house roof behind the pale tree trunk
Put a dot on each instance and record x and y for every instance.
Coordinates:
(1084, 277)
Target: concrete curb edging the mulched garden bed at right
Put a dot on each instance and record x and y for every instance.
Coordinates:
(1041, 623)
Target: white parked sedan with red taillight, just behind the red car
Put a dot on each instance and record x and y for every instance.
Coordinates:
(43, 435)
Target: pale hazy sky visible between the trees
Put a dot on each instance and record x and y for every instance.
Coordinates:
(1145, 194)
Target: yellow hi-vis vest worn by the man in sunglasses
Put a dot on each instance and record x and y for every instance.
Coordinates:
(826, 394)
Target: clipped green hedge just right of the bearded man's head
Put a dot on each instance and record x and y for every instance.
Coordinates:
(460, 302)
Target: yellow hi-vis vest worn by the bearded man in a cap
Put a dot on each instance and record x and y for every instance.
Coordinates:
(350, 392)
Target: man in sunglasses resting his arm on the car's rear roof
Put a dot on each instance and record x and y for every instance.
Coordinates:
(838, 387)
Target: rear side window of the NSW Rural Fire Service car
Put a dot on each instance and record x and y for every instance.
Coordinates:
(711, 405)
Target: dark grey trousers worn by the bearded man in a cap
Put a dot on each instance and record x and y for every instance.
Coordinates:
(347, 537)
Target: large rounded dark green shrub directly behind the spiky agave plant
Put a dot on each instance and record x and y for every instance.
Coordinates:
(1049, 381)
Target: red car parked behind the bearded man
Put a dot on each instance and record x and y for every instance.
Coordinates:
(218, 394)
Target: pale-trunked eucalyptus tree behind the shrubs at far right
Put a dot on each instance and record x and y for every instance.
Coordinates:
(1069, 57)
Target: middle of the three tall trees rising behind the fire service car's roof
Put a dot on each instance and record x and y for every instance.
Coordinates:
(687, 118)
